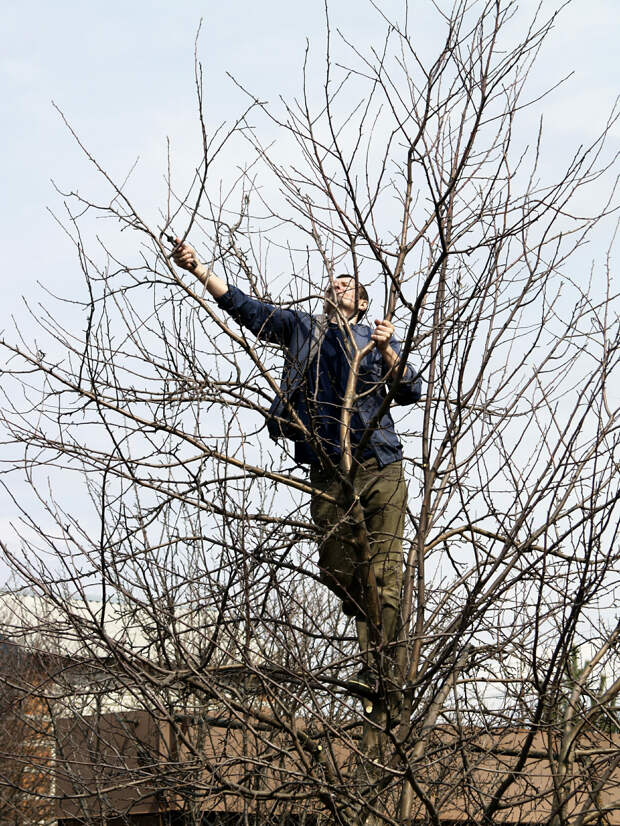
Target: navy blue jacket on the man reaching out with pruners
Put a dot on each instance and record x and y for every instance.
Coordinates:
(315, 389)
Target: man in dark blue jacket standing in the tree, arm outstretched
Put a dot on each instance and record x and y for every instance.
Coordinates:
(309, 409)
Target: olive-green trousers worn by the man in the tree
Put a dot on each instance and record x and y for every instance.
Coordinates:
(383, 496)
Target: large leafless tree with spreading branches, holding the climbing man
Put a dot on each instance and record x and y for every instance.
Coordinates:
(405, 172)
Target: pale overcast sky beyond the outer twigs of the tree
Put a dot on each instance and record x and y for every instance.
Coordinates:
(122, 72)
